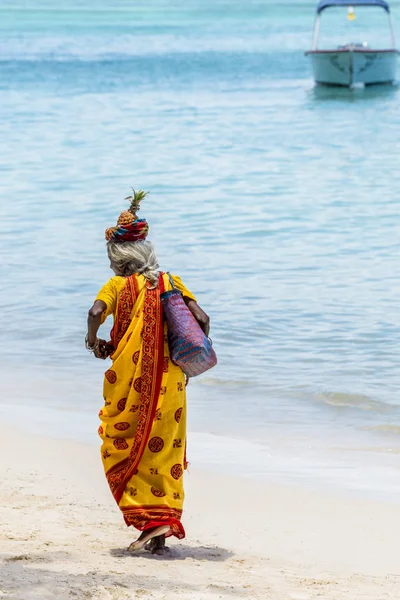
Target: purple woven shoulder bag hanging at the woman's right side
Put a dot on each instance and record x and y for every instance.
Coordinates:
(189, 347)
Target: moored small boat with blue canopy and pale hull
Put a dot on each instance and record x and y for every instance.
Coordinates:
(353, 64)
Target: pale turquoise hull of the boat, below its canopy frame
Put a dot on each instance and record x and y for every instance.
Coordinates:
(353, 66)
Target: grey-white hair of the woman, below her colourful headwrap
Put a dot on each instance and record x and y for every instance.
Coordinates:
(127, 258)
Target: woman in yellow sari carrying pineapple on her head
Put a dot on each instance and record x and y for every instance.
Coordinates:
(143, 421)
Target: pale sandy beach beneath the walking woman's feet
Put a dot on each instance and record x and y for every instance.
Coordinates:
(63, 537)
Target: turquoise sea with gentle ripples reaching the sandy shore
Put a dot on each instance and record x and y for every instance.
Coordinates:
(277, 202)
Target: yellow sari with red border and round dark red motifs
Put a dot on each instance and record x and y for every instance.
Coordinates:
(143, 421)
